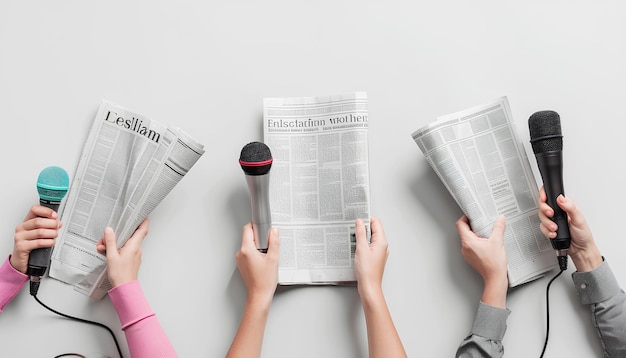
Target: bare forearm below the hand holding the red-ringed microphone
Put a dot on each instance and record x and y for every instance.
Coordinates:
(249, 338)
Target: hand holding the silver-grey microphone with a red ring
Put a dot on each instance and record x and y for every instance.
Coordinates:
(258, 270)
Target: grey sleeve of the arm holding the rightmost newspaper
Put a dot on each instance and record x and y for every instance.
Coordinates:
(485, 338)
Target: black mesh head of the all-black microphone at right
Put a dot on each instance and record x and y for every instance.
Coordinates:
(545, 132)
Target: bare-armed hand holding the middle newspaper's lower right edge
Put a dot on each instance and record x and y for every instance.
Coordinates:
(370, 258)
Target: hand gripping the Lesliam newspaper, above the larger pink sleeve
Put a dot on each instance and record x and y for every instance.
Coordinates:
(123, 264)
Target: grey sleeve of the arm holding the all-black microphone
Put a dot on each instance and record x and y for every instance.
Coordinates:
(599, 289)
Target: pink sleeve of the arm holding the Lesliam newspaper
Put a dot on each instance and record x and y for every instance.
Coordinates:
(144, 333)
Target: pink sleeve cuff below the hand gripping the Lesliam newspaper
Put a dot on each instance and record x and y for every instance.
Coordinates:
(130, 303)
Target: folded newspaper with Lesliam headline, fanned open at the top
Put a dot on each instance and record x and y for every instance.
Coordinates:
(128, 165)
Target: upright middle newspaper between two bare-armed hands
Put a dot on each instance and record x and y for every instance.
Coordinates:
(319, 184)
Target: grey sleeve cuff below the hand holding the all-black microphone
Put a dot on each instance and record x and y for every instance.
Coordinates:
(596, 285)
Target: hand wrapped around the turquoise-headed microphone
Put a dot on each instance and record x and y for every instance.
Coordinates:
(38, 230)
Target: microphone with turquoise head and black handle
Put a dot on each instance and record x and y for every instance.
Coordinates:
(52, 185)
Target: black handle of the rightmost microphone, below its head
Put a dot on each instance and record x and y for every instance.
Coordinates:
(551, 167)
